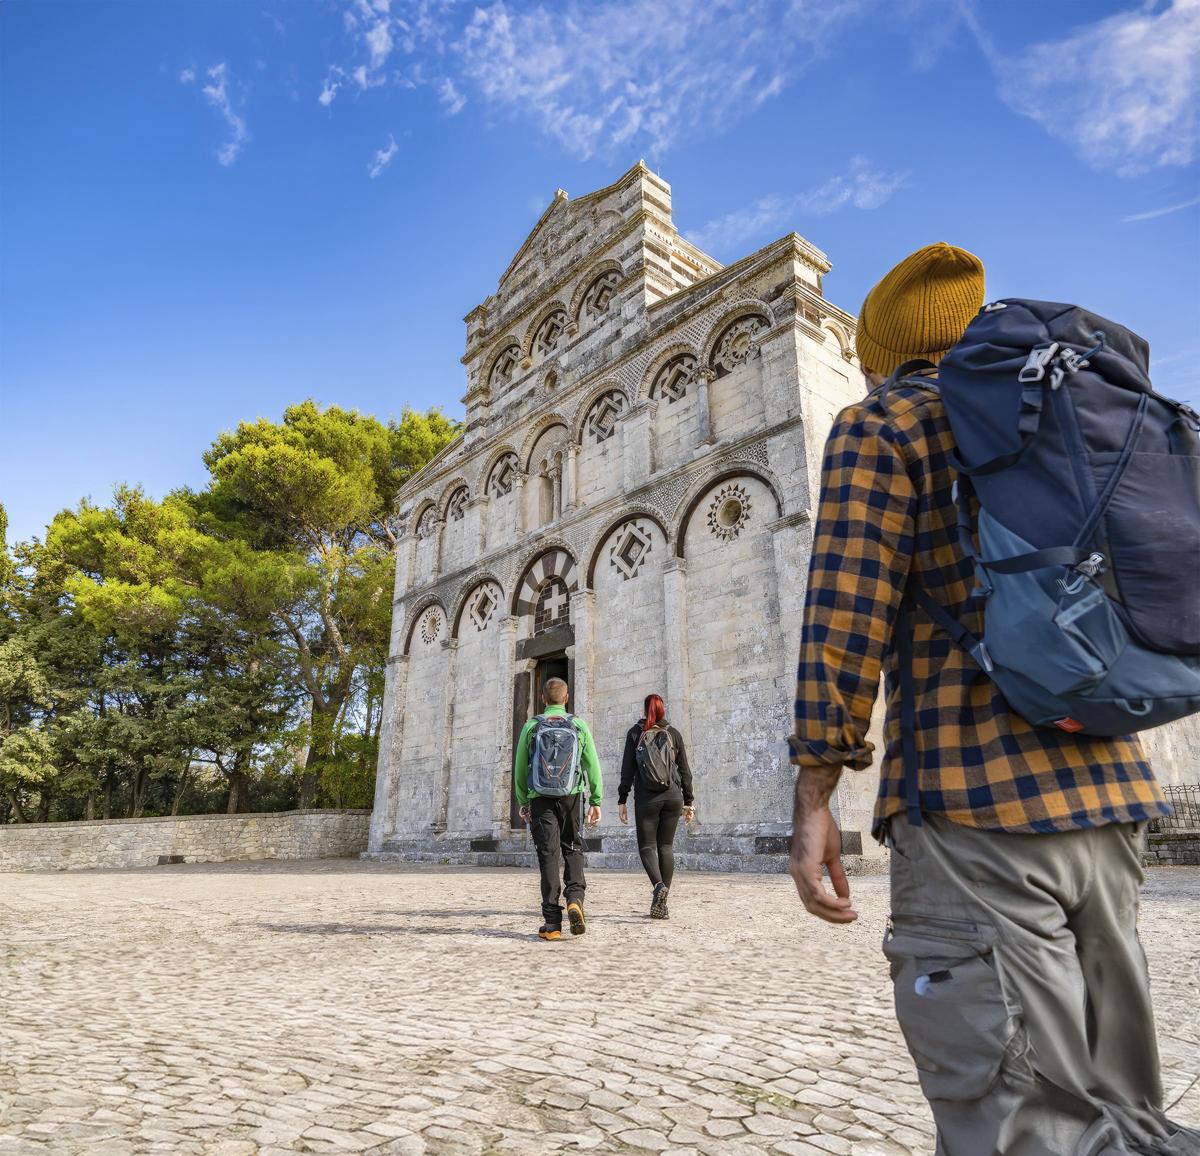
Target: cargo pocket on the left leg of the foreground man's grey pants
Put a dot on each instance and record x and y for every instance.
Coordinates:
(951, 1005)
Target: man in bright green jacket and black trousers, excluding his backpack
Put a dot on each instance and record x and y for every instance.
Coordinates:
(555, 820)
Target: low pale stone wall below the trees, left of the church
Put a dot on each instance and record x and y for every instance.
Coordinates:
(292, 835)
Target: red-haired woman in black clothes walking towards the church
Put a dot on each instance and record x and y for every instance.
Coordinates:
(656, 766)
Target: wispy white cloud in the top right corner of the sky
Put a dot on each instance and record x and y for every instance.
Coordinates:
(1123, 92)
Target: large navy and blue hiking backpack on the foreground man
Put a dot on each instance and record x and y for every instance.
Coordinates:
(1088, 541)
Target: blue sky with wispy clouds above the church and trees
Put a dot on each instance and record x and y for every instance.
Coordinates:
(214, 209)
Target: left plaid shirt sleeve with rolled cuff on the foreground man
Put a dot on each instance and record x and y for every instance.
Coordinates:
(862, 550)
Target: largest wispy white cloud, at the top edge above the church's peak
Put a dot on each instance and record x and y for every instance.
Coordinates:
(601, 75)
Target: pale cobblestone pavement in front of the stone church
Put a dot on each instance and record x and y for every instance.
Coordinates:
(346, 1008)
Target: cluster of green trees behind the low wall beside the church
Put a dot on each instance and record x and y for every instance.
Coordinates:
(221, 649)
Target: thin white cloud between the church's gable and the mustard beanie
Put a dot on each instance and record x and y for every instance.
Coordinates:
(862, 187)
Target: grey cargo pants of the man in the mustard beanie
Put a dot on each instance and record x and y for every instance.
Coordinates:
(1023, 993)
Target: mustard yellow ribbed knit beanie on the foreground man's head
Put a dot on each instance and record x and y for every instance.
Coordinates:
(920, 309)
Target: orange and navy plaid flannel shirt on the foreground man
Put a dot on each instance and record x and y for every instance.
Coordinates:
(887, 514)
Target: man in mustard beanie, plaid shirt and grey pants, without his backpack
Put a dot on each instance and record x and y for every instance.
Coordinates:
(1015, 870)
